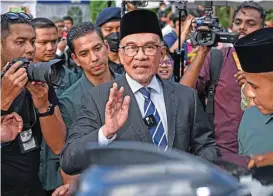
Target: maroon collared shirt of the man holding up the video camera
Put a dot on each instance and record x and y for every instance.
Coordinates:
(227, 103)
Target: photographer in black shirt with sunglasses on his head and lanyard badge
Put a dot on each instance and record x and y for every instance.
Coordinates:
(35, 102)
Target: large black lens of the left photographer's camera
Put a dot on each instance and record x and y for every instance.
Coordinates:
(49, 72)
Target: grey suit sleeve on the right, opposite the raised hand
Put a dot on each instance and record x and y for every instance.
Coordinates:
(202, 137)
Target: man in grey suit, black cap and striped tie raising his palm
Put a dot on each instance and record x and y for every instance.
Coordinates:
(139, 106)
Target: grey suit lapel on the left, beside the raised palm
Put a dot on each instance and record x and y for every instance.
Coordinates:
(134, 116)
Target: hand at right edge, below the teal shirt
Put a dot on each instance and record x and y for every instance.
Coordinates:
(261, 160)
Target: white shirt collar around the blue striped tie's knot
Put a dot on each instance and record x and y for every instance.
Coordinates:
(135, 86)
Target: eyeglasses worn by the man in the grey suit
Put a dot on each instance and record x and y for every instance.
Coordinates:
(132, 50)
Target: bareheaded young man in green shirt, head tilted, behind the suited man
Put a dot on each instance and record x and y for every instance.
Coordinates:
(89, 51)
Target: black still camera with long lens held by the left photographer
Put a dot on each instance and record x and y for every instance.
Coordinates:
(48, 72)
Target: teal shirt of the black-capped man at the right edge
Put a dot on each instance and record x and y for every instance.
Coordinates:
(255, 132)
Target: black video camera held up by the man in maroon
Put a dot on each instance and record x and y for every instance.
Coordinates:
(212, 34)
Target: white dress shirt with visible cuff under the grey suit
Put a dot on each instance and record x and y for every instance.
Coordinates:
(157, 98)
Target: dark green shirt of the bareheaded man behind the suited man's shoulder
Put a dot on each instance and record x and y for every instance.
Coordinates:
(70, 100)
